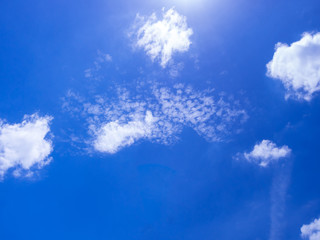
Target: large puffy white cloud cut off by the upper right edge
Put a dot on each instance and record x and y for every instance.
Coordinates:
(298, 66)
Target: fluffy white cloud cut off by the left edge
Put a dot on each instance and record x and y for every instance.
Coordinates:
(23, 145)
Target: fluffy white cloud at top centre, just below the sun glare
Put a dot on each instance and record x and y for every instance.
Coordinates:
(162, 38)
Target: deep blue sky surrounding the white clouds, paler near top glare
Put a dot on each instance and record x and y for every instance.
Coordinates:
(191, 190)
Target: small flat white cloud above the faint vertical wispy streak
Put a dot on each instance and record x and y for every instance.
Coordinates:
(266, 152)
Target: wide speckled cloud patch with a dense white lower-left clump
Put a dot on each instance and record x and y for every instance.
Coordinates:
(159, 117)
